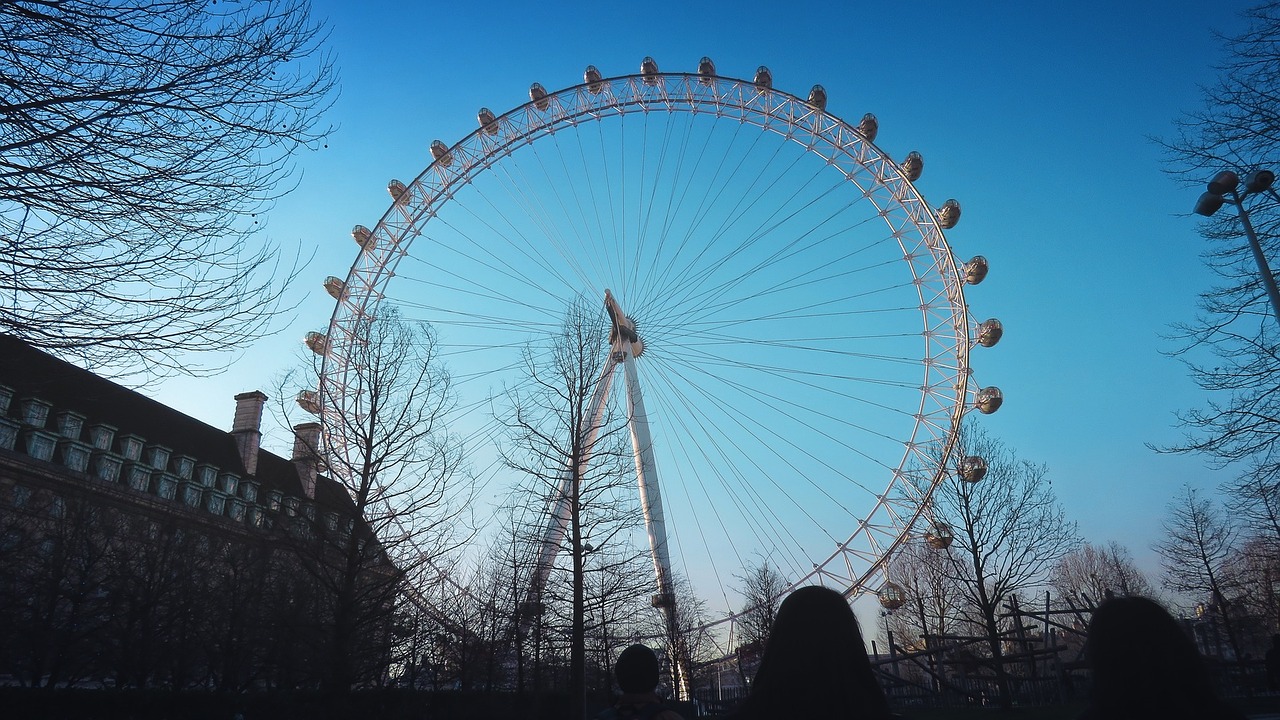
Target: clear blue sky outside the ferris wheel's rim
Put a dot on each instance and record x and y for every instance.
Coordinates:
(1040, 121)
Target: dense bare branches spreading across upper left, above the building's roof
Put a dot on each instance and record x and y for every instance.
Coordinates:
(141, 140)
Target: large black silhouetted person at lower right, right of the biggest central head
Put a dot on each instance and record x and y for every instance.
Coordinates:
(1145, 666)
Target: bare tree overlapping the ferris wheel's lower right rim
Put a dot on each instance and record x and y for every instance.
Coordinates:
(1009, 534)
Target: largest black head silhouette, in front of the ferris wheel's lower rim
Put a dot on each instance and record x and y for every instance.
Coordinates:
(815, 664)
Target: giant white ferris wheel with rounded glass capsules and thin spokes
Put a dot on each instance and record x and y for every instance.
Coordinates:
(785, 313)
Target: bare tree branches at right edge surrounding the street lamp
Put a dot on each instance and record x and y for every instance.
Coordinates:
(1236, 130)
